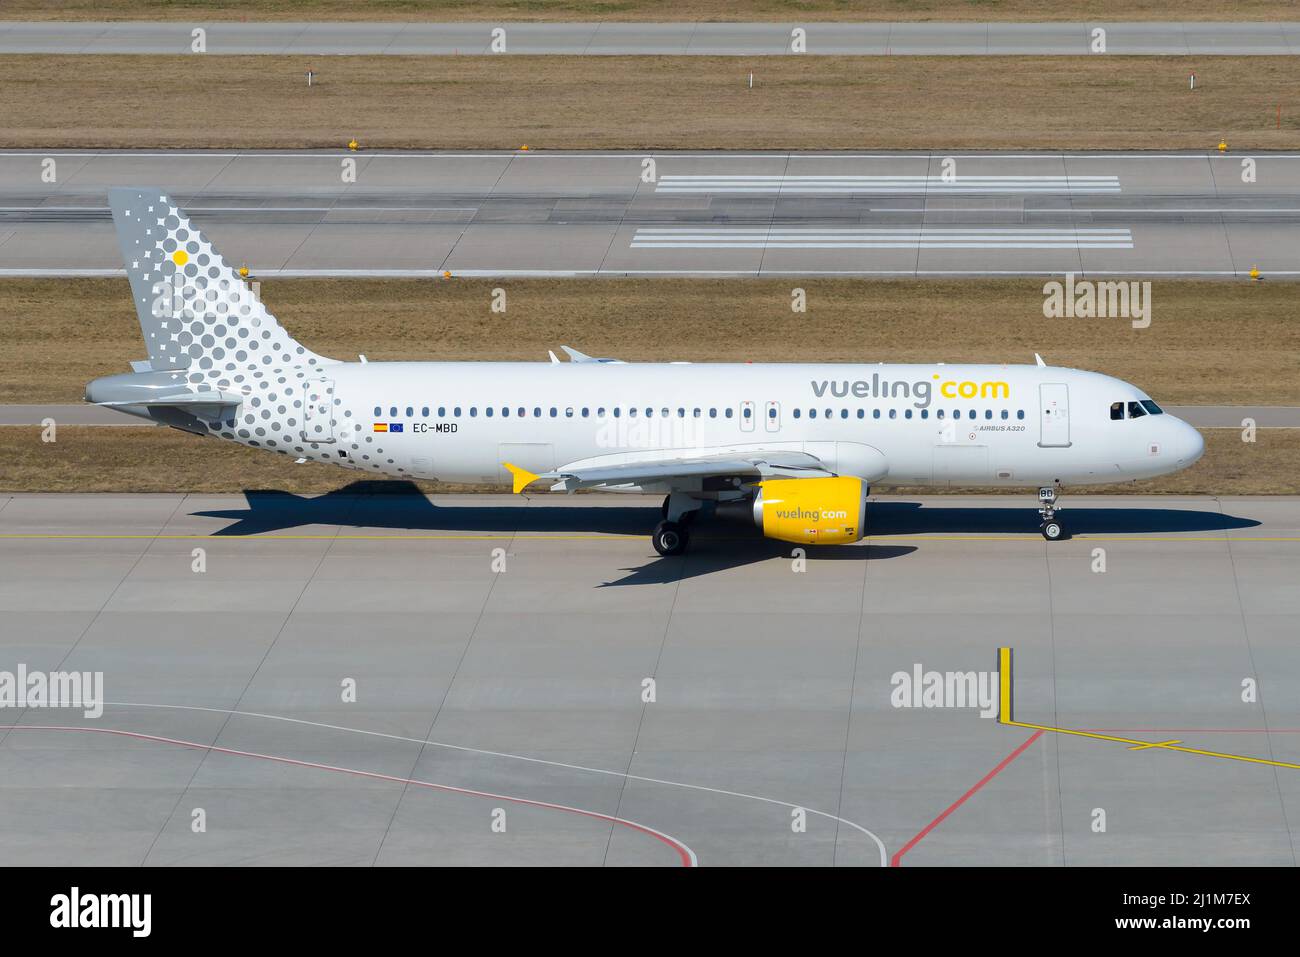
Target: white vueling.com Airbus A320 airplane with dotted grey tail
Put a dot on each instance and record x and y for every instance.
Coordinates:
(795, 447)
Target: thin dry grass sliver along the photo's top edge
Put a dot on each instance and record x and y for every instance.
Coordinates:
(794, 11)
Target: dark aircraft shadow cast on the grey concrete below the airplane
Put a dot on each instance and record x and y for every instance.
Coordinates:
(717, 545)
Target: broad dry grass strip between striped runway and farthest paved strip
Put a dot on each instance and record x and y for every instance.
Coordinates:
(636, 103)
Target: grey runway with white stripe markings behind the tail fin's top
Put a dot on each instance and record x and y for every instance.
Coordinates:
(687, 214)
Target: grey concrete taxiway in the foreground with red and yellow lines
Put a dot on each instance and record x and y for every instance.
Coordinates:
(513, 686)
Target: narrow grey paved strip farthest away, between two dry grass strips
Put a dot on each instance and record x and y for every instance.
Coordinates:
(658, 40)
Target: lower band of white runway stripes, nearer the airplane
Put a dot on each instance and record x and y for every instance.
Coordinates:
(881, 239)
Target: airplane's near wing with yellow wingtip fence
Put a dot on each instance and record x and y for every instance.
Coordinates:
(699, 469)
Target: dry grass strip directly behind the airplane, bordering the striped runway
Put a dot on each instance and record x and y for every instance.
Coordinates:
(1208, 344)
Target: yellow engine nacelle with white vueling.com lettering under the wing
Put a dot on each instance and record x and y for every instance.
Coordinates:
(813, 512)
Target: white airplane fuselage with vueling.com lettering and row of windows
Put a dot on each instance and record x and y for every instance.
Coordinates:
(993, 426)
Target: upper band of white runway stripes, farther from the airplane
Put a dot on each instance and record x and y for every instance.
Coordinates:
(886, 184)
